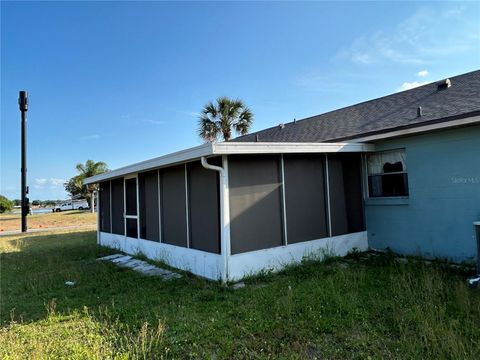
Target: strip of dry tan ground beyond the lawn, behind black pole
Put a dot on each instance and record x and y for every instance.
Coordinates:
(9, 222)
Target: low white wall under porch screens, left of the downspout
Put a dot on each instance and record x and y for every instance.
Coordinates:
(197, 262)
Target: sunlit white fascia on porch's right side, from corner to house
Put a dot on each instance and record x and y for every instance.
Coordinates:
(286, 148)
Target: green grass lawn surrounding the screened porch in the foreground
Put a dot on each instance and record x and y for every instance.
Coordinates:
(363, 308)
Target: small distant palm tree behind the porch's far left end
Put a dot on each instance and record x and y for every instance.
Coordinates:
(75, 186)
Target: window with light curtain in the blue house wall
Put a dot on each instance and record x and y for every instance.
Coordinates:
(387, 174)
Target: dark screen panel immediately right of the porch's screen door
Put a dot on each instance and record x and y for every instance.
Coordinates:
(149, 205)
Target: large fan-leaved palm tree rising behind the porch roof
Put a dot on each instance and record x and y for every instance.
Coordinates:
(219, 119)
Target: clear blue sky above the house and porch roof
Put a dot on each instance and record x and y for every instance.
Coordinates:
(122, 82)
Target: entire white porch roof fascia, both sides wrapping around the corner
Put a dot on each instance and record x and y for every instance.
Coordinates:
(231, 148)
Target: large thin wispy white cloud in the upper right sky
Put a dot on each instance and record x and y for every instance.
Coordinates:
(429, 34)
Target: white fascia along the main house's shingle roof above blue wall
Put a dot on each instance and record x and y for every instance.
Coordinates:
(421, 129)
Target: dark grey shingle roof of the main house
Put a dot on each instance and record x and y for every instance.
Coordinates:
(392, 112)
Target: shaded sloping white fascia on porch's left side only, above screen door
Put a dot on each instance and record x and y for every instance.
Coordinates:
(173, 158)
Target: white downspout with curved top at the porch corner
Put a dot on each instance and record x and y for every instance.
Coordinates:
(224, 214)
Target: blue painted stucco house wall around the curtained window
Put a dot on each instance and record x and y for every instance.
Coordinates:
(435, 221)
